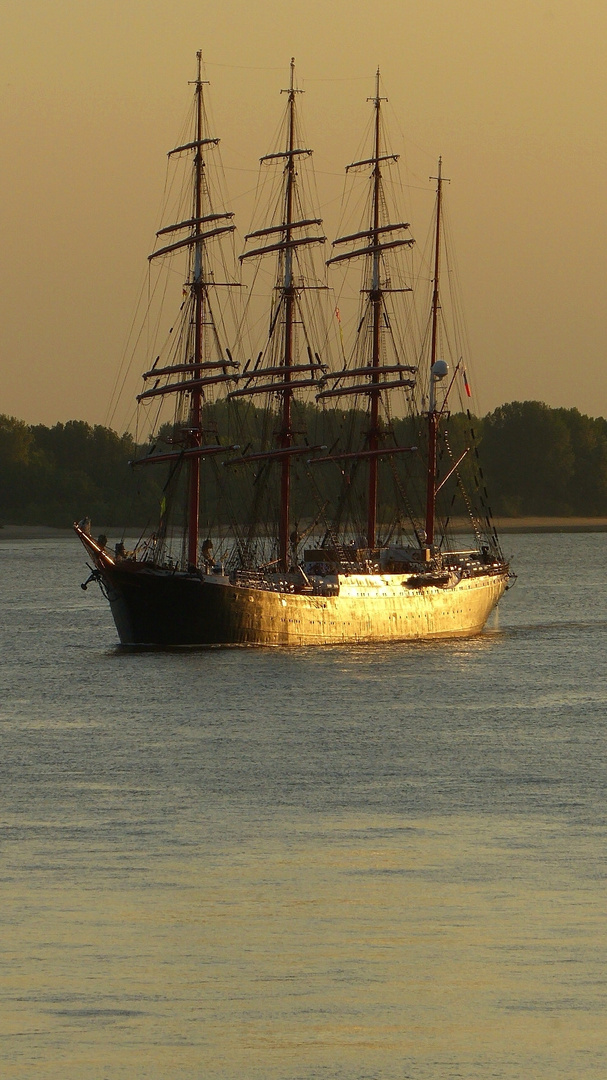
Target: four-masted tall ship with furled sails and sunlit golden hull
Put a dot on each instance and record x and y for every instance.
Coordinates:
(305, 502)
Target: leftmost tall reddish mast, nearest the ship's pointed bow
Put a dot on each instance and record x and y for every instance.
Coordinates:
(195, 434)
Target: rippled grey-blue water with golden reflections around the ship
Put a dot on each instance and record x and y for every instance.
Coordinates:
(345, 863)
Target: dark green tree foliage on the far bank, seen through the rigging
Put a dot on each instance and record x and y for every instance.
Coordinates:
(535, 461)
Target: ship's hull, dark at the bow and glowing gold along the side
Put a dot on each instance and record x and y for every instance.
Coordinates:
(152, 606)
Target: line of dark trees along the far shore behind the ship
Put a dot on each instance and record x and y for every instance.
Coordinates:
(536, 461)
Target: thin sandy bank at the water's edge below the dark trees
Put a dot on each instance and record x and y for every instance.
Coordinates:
(504, 525)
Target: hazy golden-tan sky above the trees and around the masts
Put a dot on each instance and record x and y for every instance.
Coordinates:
(511, 93)
